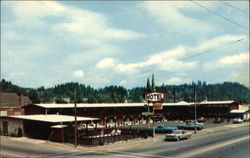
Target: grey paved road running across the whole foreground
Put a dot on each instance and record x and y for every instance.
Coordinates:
(231, 141)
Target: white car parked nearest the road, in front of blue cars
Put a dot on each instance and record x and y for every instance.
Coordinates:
(178, 135)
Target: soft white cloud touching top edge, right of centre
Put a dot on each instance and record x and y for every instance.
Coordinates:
(171, 15)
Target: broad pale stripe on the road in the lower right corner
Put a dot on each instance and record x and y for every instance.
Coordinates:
(211, 147)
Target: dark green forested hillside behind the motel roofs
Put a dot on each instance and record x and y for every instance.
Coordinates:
(64, 93)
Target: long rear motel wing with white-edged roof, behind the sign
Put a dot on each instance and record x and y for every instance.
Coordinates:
(123, 114)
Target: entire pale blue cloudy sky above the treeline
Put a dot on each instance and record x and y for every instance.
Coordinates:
(122, 43)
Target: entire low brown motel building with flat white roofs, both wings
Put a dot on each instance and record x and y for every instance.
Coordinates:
(108, 122)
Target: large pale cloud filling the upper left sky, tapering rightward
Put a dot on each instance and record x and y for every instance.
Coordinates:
(71, 22)
